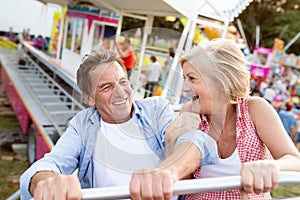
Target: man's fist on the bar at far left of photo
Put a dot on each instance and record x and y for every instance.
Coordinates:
(49, 185)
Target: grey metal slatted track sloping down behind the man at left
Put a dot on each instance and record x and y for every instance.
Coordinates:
(50, 104)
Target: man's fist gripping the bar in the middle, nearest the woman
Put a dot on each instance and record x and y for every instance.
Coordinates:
(152, 184)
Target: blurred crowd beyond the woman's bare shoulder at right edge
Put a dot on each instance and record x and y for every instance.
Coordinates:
(283, 93)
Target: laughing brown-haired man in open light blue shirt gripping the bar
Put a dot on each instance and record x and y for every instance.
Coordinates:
(108, 141)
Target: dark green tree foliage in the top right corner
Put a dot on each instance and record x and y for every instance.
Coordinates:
(276, 18)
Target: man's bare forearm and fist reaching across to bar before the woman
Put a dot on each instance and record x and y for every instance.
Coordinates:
(158, 183)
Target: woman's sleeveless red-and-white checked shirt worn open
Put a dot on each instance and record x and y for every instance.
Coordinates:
(249, 146)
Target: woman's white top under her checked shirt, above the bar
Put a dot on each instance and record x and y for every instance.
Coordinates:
(230, 166)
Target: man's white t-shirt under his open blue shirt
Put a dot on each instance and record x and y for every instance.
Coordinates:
(120, 149)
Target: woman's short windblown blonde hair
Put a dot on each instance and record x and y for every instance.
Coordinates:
(222, 61)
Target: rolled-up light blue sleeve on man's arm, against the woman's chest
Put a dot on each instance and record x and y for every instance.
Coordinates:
(206, 145)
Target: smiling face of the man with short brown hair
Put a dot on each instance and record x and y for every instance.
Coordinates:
(112, 94)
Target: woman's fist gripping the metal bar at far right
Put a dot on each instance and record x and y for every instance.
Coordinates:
(259, 176)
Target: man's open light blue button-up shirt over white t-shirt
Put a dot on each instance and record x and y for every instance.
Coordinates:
(75, 147)
